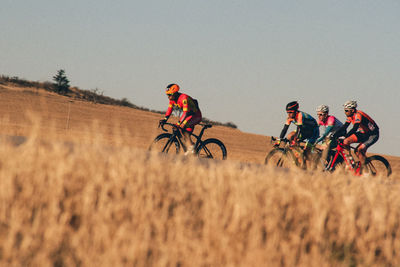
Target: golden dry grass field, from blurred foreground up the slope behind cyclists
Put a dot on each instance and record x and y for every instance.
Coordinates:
(82, 190)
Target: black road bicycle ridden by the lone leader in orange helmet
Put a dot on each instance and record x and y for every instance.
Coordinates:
(171, 142)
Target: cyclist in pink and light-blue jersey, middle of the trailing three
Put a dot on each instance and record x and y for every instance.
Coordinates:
(331, 124)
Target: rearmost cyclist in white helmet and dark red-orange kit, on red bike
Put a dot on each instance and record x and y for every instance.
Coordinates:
(365, 131)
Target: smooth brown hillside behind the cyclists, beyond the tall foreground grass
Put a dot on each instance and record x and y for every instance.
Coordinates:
(64, 117)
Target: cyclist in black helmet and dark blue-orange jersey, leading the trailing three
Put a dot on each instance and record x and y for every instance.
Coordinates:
(307, 127)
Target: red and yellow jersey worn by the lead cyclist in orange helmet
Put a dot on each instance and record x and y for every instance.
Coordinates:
(187, 105)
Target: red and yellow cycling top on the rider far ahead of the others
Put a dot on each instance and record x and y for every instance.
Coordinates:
(191, 113)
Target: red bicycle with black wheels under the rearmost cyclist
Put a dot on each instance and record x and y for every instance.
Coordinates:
(374, 165)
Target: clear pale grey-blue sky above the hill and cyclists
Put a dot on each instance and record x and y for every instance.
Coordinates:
(243, 60)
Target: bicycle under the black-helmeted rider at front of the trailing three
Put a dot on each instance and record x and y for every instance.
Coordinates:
(288, 155)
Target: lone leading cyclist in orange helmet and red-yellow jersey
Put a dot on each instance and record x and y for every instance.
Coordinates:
(191, 112)
